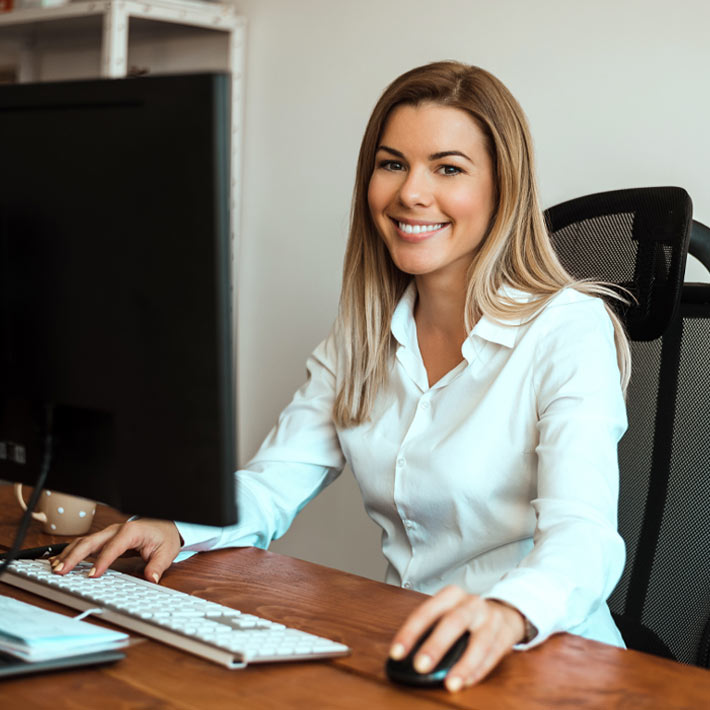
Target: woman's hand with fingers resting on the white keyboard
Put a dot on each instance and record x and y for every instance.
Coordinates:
(157, 541)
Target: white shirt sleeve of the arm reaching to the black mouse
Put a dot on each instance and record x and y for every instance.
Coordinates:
(577, 555)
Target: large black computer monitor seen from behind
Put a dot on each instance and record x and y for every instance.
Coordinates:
(115, 298)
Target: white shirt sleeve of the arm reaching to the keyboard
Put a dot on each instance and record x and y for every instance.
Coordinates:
(298, 459)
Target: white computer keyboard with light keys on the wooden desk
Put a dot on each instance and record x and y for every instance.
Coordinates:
(207, 629)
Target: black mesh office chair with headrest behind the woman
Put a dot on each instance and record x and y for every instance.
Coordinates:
(639, 239)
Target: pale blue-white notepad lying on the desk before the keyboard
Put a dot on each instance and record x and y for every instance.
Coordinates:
(35, 634)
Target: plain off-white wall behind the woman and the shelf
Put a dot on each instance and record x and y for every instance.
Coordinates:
(617, 96)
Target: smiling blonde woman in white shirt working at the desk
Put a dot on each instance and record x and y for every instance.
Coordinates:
(475, 389)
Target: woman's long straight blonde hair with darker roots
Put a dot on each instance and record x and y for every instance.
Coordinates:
(516, 251)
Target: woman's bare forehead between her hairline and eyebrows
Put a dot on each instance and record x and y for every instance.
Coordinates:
(432, 128)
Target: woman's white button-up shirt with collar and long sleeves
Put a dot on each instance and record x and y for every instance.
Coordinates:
(502, 477)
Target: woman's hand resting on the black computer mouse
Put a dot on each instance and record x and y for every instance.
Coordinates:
(495, 628)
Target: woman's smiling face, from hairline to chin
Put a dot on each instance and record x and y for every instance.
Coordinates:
(432, 192)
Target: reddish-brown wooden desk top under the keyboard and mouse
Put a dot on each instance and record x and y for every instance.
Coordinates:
(565, 672)
